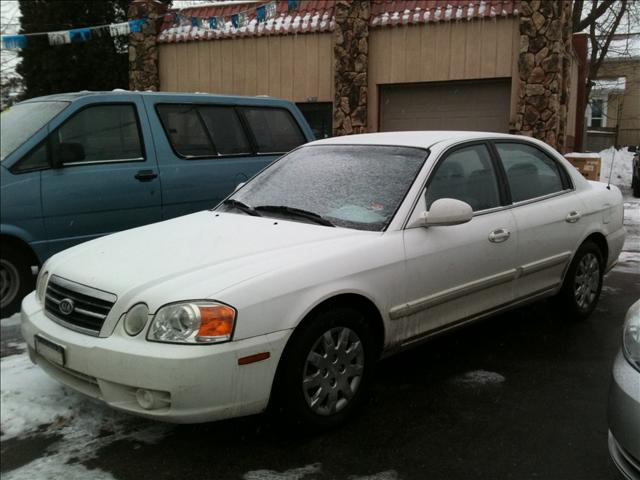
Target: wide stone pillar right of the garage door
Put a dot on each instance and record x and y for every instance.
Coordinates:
(544, 67)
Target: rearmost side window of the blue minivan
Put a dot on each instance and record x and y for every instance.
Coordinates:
(274, 129)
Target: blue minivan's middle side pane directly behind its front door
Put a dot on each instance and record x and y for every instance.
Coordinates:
(186, 130)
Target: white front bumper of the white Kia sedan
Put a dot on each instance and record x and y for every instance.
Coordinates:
(190, 383)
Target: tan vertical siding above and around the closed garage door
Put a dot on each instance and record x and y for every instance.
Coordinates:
(440, 52)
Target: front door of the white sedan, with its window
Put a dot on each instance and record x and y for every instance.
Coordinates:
(457, 272)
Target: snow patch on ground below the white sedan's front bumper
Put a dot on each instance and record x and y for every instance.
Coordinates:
(33, 403)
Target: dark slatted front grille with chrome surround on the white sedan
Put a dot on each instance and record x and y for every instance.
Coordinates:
(77, 306)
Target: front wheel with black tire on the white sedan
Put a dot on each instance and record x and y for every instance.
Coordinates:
(292, 399)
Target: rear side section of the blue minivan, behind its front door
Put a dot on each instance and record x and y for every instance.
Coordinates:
(206, 149)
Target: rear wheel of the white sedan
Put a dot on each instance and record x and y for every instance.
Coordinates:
(582, 283)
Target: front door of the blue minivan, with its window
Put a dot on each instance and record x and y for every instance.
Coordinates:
(108, 181)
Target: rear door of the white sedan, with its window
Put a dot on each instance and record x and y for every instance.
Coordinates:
(547, 212)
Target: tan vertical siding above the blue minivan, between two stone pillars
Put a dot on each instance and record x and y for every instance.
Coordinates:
(294, 67)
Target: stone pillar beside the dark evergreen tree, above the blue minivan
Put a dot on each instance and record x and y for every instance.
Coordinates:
(143, 51)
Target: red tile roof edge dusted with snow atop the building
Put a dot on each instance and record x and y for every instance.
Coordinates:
(316, 16)
